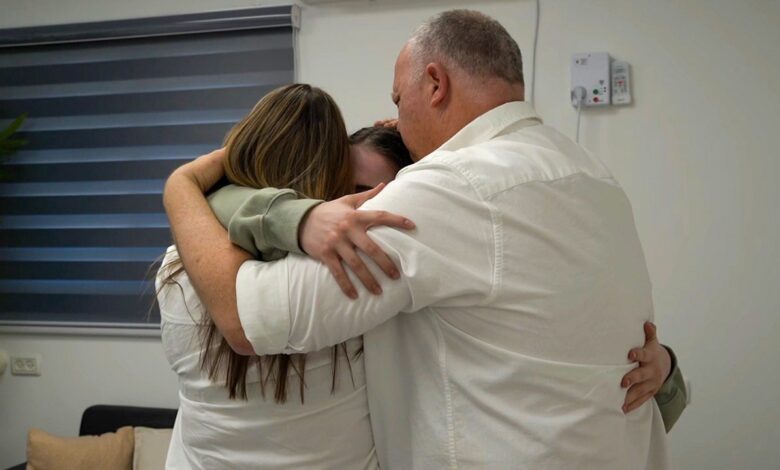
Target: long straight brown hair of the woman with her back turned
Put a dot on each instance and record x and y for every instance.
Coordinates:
(294, 138)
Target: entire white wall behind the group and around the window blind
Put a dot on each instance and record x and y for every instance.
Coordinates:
(694, 154)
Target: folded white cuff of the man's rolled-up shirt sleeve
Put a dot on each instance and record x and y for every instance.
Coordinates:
(263, 306)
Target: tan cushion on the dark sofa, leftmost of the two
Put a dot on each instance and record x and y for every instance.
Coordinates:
(110, 451)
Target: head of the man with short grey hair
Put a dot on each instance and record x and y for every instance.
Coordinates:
(477, 59)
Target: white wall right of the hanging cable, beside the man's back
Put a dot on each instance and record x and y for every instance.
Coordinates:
(697, 155)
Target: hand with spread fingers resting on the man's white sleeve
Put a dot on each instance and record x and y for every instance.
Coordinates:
(332, 231)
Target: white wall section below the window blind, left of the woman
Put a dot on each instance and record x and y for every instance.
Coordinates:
(77, 372)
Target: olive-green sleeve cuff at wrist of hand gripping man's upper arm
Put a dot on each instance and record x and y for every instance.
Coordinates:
(284, 220)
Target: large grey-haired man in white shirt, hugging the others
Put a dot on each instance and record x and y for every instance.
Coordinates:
(502, 340)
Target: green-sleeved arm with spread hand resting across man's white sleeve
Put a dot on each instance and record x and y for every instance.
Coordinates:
(267, 223)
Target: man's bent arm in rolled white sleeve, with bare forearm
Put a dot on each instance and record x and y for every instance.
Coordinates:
(276, 322)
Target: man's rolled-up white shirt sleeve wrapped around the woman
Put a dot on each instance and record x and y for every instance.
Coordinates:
(295, 305)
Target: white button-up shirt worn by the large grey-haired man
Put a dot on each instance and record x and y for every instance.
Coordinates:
(504, 342)
